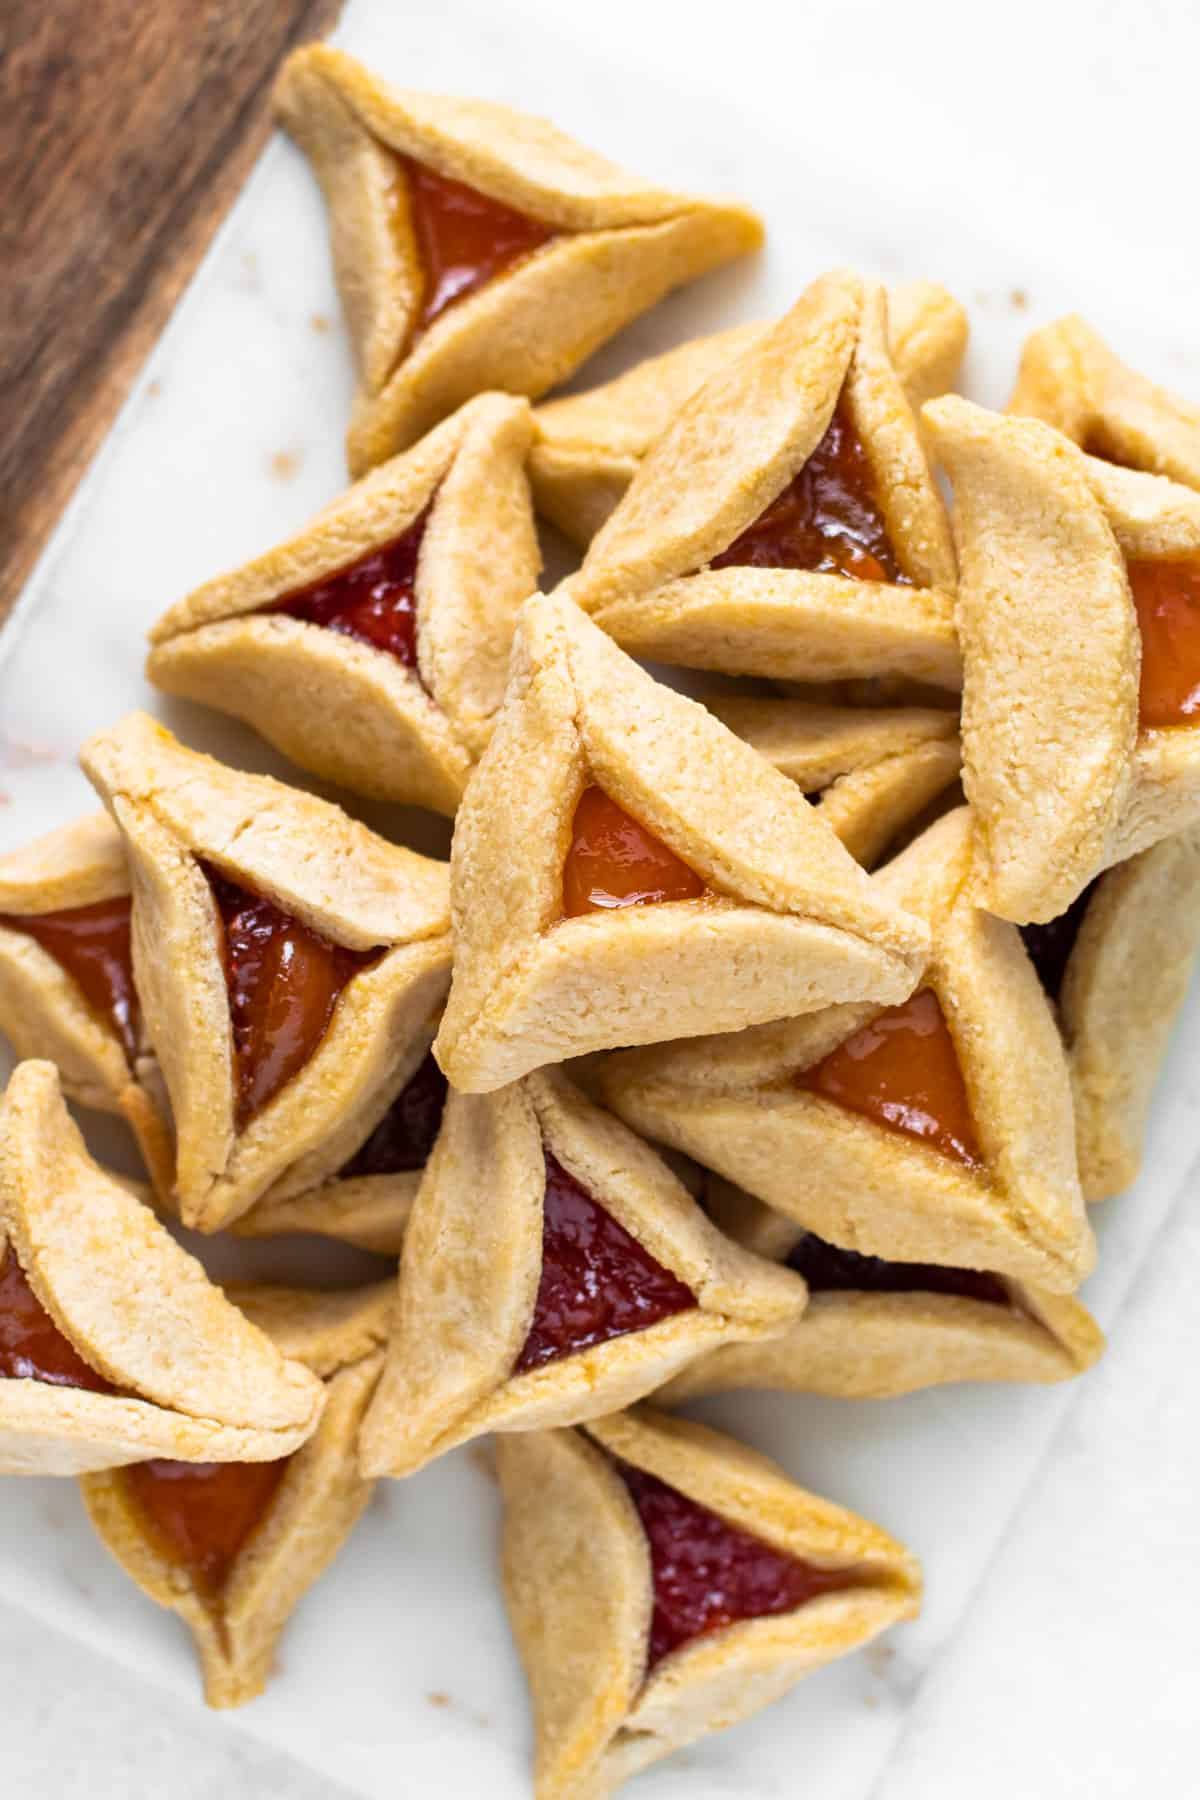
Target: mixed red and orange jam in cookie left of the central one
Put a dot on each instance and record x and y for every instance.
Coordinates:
(283, 985)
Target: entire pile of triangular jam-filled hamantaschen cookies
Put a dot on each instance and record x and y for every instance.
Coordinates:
(773, 1038)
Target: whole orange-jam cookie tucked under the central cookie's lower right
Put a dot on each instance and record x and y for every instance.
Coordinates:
(958, 1101)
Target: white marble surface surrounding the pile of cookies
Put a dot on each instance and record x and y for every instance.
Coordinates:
(1041, 166)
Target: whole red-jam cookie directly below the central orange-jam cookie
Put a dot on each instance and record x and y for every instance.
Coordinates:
(587, 1279)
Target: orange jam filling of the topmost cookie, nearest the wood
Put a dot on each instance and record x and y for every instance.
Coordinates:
(465, 238)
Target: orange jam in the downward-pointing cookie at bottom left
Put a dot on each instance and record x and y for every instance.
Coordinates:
(202, 1515)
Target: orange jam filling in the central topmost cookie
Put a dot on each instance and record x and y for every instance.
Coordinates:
(614, 861)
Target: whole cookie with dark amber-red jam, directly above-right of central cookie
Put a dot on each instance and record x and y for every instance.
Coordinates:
(787, 521)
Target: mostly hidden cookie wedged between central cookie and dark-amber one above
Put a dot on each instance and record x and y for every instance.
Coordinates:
(873, 773)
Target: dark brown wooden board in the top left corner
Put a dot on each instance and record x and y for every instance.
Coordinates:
(127, 129)
